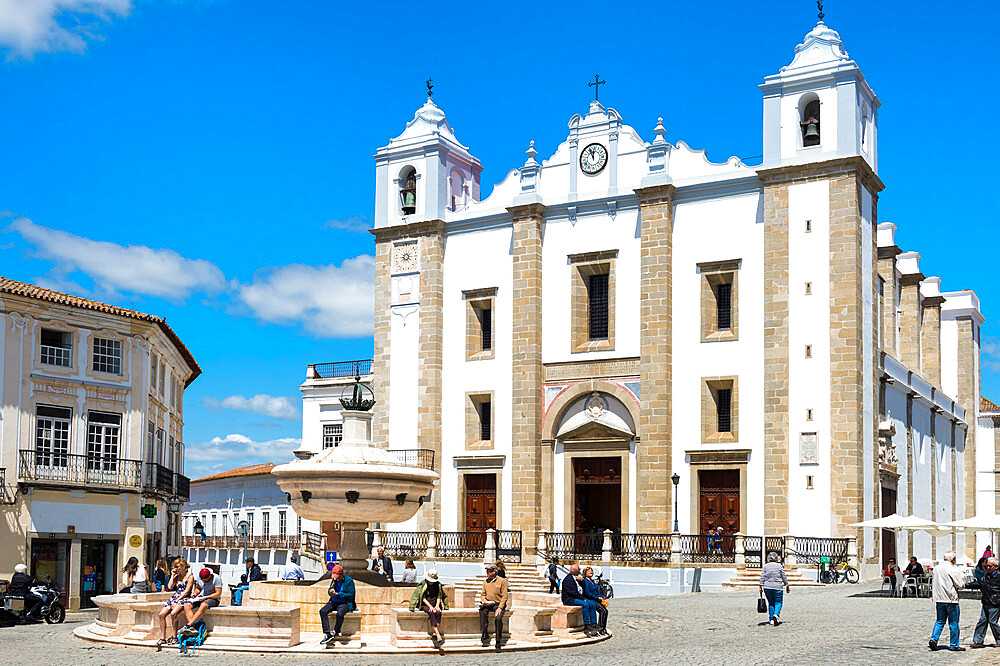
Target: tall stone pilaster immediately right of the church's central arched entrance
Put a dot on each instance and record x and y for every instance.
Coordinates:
(654, 452)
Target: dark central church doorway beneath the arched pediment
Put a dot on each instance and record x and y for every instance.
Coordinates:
(598, 494)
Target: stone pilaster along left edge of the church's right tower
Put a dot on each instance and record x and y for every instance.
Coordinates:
(776, 432)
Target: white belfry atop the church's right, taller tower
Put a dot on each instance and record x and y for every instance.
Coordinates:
(819, 107)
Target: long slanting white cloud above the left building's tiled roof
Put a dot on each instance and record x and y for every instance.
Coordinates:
(134, 268)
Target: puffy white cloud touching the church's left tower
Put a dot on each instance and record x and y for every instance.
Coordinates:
(328, 301)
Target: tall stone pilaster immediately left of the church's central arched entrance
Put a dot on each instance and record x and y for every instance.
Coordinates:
(526, 370)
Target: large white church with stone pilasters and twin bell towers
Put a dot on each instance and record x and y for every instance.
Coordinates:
(625, 326)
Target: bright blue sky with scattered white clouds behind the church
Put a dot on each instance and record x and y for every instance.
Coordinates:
(211, 161)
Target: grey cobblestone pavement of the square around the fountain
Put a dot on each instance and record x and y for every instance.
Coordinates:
(837, 624)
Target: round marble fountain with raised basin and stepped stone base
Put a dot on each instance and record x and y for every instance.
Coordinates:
(356, 484)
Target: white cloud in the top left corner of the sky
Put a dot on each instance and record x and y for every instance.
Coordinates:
(34, 26)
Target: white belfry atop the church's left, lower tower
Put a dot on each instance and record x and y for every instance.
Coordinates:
(424, 173)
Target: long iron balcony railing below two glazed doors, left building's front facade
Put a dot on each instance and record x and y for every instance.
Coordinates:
(88, 470)
